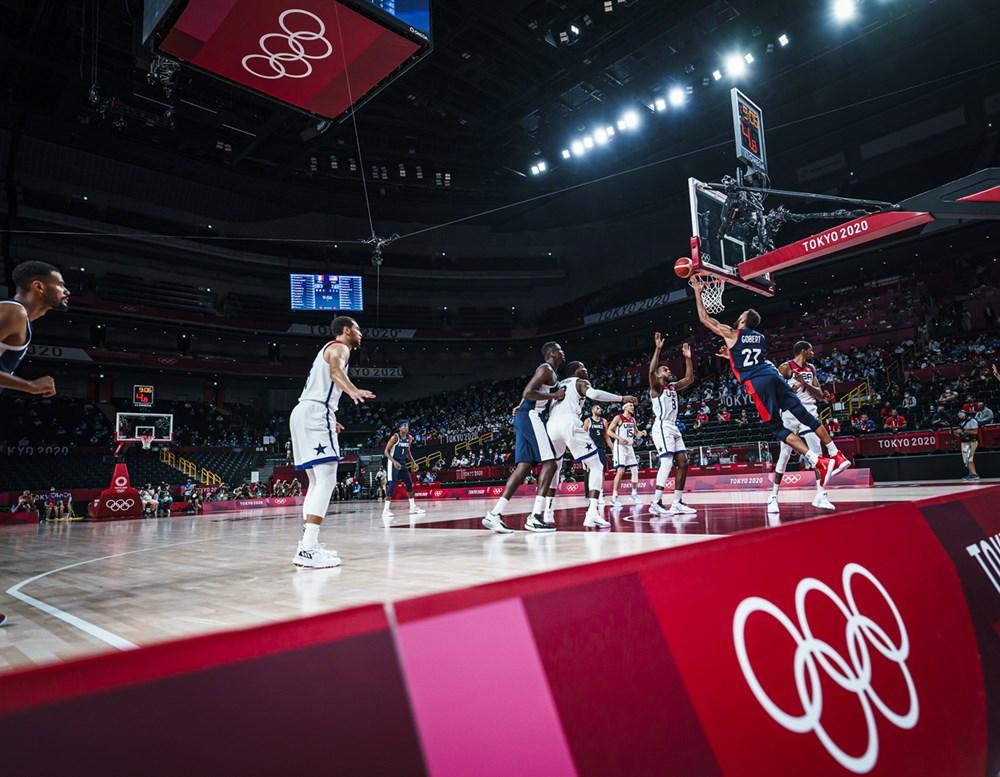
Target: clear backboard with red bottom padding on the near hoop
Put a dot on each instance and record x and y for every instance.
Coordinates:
(712, 251)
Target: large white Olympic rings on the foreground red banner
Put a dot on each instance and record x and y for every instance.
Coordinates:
(812, 654)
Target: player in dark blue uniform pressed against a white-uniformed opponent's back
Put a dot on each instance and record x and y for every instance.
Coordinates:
(532, 444)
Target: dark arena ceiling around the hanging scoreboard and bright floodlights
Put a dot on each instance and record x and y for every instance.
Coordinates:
(503, 90)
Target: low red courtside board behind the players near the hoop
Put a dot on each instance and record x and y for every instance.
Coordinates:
(762, 481)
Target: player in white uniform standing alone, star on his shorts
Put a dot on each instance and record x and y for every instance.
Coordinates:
(314, 430)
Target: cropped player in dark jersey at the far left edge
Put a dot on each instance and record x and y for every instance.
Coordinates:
(39, 289)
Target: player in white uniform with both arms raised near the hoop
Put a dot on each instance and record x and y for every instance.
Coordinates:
(666, 436)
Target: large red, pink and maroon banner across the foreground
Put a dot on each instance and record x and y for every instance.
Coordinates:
(861, 643)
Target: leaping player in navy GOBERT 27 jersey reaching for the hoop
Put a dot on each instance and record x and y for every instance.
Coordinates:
(770, 392)
